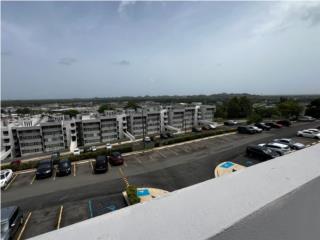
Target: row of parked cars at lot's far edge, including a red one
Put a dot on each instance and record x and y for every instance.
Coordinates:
(259, 127)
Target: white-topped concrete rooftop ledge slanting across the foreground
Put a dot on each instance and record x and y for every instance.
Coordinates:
(277, 199)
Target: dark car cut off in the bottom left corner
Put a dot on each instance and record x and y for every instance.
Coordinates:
(11, 220)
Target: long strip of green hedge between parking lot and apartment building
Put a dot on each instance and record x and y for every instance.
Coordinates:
(124, 148)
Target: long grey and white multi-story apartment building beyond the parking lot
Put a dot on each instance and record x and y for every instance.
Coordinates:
(48, 134)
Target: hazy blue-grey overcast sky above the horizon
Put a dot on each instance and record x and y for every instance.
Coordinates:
(104, 49)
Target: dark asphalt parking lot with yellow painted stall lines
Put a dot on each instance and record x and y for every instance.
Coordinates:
(83, 195)
